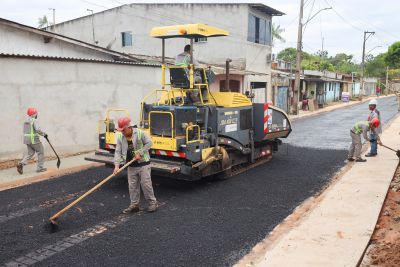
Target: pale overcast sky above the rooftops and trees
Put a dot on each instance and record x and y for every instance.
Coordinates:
(341, 28)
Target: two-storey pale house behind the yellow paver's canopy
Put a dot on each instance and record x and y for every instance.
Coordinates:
(126, 29)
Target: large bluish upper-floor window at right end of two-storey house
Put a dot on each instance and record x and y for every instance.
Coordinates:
(259, 30)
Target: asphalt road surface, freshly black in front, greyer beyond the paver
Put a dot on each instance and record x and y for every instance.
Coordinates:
(204, 223)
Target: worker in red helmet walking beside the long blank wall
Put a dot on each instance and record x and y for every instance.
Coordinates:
(32, 132)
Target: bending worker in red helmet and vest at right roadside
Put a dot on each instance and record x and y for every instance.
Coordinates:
(361, 127)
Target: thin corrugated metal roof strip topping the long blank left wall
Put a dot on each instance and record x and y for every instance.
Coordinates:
(5, 55)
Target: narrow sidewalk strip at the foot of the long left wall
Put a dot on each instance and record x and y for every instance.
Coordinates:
(10, 178)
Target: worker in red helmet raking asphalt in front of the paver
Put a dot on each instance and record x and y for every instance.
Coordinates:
(135, 143)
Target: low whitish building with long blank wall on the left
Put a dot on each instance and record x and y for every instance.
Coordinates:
(71, 82)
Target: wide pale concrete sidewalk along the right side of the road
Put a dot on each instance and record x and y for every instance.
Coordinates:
(333, 229)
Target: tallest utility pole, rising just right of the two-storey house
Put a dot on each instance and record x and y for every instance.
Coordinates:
(298, 61)
